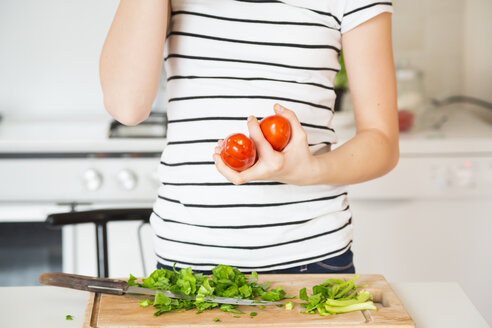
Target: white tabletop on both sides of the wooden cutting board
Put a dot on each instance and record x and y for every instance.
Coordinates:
(431, 305)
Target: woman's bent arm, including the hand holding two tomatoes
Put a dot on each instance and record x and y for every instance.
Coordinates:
(371, 153)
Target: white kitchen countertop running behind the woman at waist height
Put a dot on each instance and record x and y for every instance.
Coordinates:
(461, 130)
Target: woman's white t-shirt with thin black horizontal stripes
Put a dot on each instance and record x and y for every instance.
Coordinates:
(226, 60)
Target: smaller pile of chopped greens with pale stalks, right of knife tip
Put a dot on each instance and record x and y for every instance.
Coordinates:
(336, 296)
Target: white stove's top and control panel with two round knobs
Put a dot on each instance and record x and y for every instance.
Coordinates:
(87, 162)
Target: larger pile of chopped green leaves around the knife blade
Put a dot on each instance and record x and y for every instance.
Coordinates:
(225, 281)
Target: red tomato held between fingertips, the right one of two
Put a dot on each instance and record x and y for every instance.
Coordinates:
(276, 130)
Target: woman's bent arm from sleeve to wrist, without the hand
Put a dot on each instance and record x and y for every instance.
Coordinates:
(374, 150)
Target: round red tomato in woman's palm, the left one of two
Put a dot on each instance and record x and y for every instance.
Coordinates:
(238, 152)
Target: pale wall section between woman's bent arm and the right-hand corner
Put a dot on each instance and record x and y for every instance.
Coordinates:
(428, 34)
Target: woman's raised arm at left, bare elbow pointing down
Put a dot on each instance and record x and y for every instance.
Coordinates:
(131, 59)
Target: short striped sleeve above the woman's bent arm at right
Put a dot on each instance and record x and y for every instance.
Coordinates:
(359, 11)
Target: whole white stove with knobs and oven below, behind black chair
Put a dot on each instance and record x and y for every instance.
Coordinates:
(58, 166)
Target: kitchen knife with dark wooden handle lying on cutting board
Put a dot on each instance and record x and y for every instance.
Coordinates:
(120, 287)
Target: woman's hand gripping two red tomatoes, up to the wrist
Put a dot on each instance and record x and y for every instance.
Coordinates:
(291, 165)
